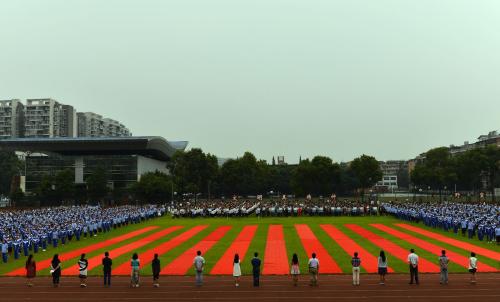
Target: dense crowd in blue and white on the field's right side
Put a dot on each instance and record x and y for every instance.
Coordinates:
(481, 220)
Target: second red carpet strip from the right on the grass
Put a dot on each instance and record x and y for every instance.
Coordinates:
(436, 250)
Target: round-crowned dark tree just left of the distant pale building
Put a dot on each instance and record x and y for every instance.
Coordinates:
(367, 171)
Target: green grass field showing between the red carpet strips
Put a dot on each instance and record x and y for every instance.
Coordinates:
(258, 244)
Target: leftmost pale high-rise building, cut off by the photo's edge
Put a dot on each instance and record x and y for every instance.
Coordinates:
(11, 119)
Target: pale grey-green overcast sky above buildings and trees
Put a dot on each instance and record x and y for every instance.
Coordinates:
(389, 78)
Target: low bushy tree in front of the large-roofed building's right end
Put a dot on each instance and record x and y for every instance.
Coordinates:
(153, 187)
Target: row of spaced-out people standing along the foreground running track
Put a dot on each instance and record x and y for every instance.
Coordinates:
(199, 262)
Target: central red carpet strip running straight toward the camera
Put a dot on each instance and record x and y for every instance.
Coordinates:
(275, 256)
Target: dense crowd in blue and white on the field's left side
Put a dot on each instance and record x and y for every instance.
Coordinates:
(29, 231)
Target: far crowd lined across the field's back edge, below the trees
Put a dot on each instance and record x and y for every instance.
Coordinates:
(281, 207)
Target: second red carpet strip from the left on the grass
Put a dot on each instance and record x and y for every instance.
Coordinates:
(97, 260)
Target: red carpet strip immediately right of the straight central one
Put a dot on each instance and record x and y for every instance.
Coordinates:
(311, 245)
